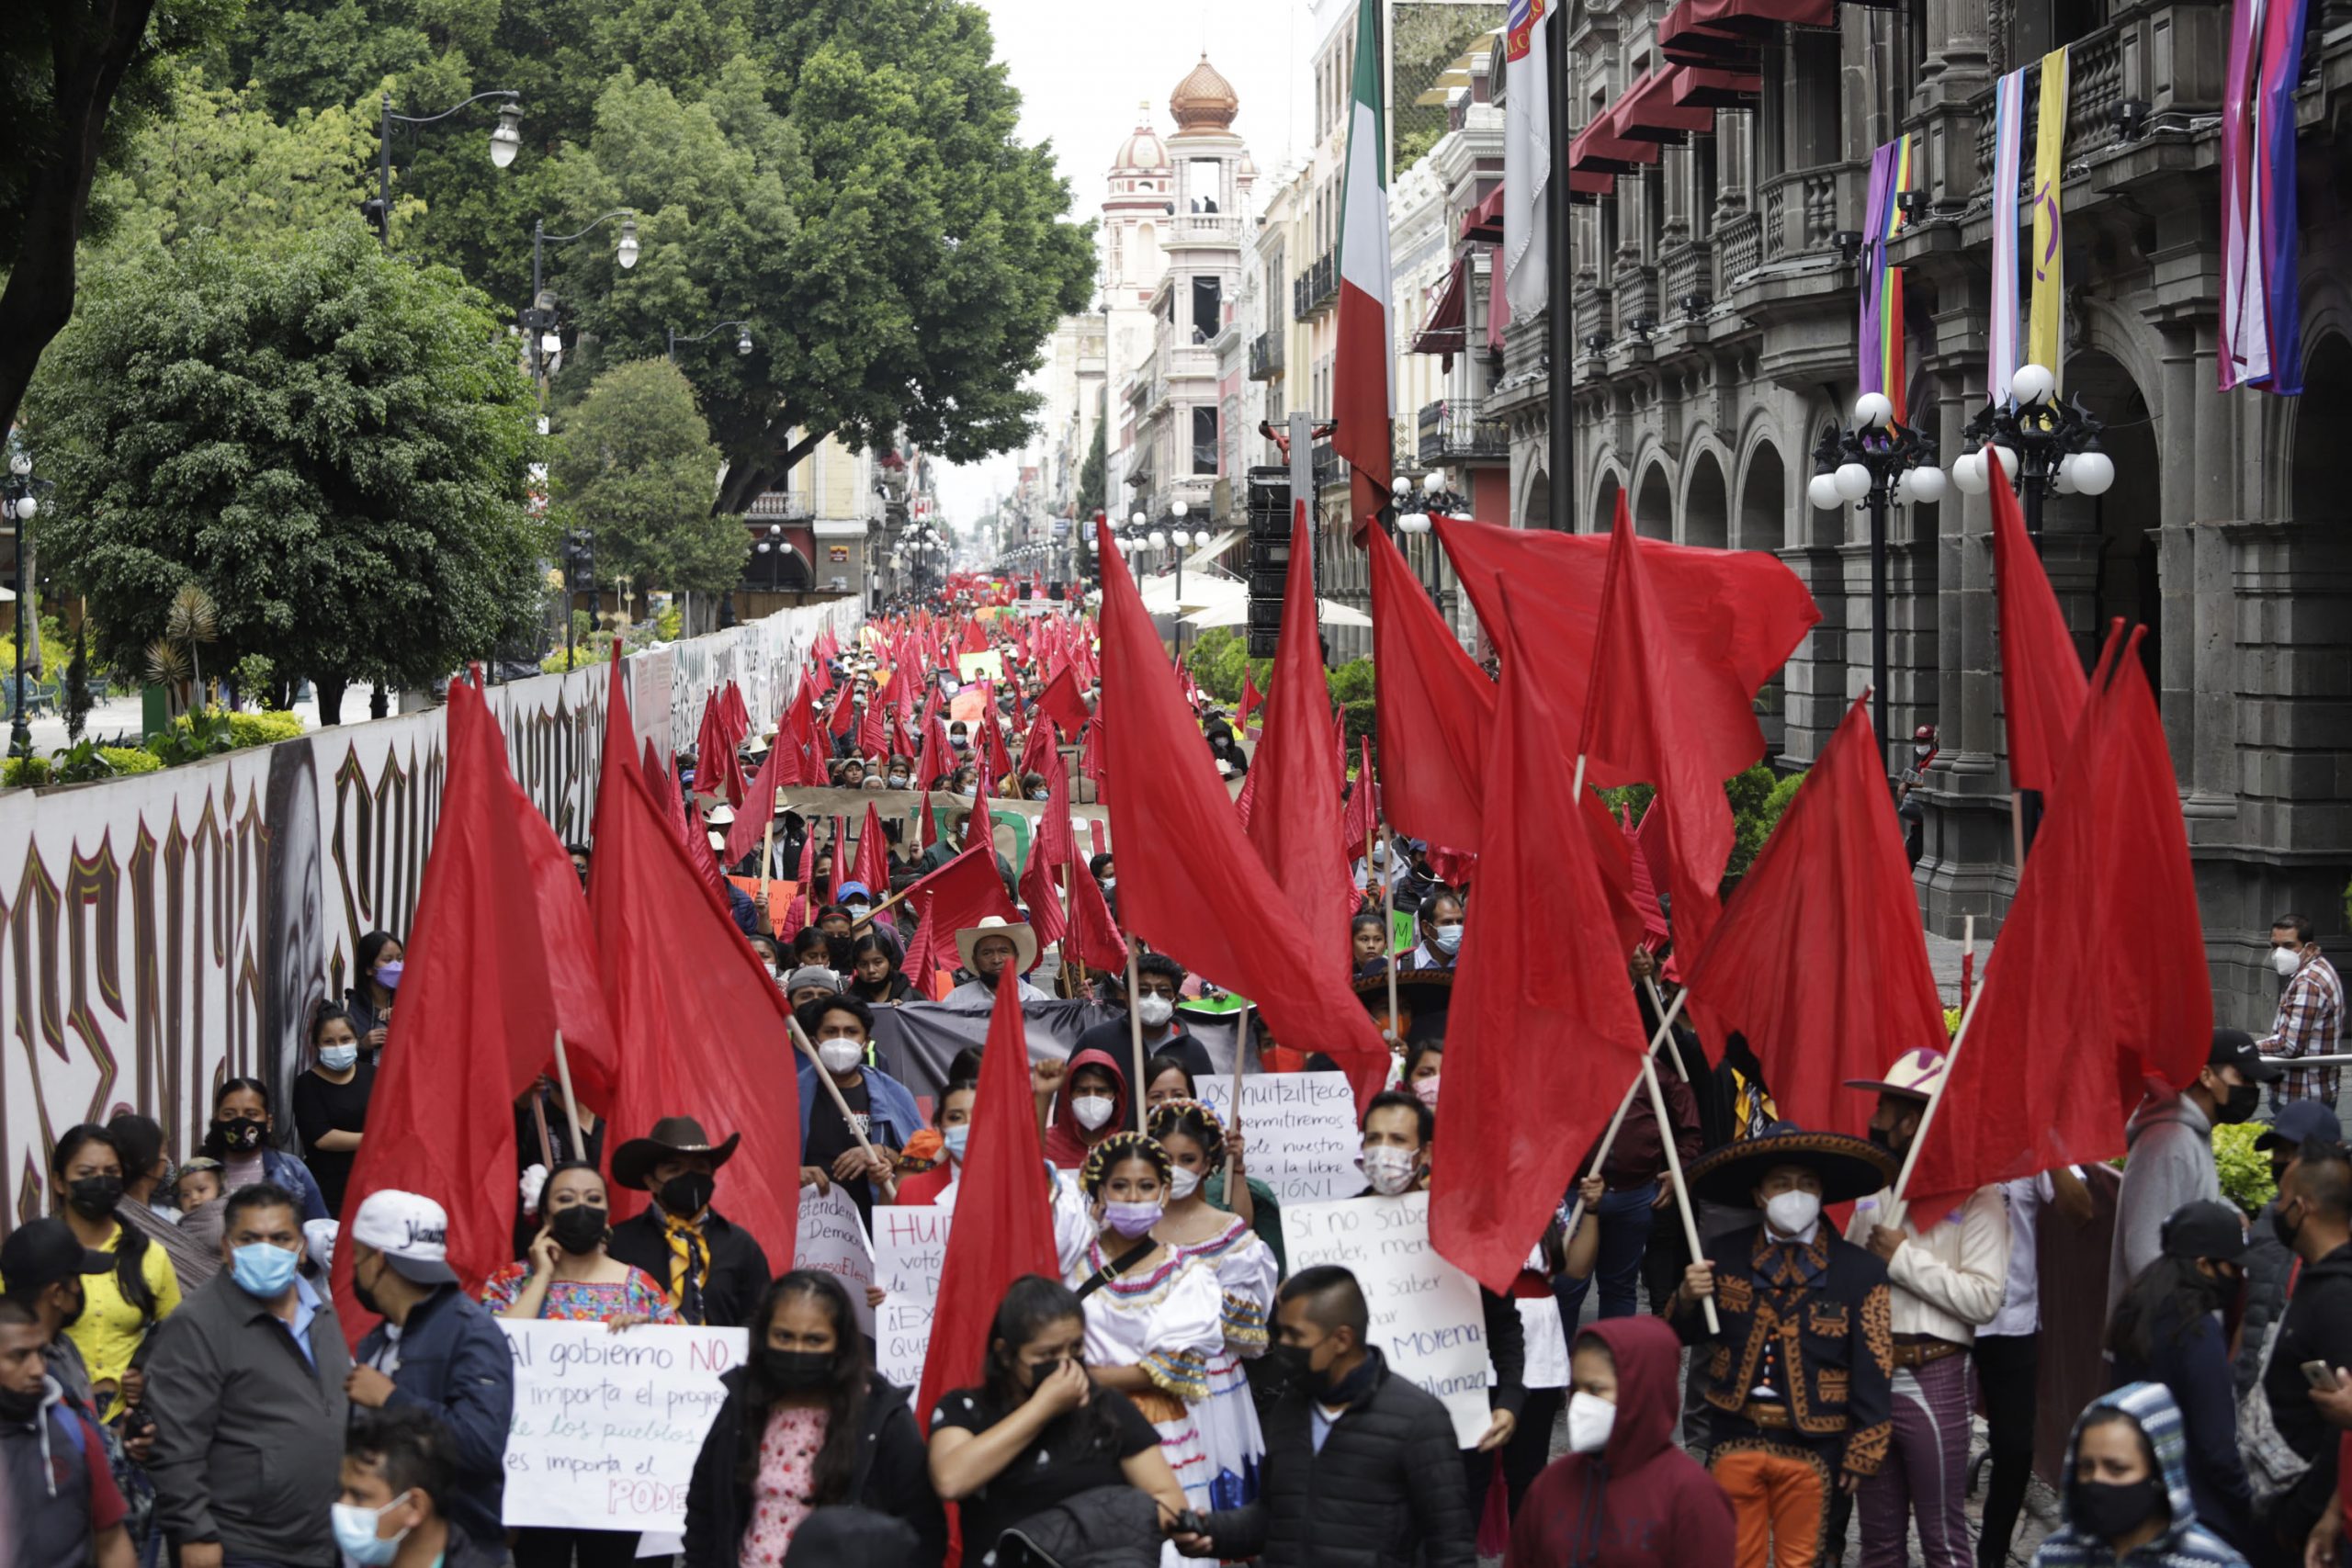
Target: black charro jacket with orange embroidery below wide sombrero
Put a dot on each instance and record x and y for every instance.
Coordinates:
(1812, 1322)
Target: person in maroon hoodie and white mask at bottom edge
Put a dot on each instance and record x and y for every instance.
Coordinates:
(1624, 1496)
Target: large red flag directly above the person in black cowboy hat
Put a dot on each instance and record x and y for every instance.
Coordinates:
(704, 1040)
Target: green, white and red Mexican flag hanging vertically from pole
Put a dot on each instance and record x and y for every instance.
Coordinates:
(1363, 373)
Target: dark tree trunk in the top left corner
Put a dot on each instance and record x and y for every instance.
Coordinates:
(81, 79)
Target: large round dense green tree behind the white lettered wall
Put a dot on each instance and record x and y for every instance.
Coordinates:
(330, 441)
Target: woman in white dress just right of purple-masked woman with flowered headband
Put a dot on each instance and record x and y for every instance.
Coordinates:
(1245, 1275)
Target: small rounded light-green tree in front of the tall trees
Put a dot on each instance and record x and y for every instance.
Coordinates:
(636, 464)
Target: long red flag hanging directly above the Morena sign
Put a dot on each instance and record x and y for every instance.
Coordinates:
(1544, 1033)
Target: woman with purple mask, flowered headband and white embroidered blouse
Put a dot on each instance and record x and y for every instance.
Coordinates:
(1154, 1315)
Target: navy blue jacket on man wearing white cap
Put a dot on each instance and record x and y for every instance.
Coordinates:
(455, 1362)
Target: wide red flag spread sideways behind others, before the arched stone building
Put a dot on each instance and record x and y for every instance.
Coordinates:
(1728, 622)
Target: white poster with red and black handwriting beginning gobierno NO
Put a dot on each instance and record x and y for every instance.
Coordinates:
(608, 1423)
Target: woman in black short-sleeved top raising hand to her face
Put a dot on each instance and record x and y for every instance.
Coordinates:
(1041, 1445)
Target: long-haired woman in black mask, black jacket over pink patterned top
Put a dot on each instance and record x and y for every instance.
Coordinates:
(806, 1426)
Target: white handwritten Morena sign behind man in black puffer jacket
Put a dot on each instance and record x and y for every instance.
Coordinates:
(1424, 1313)
